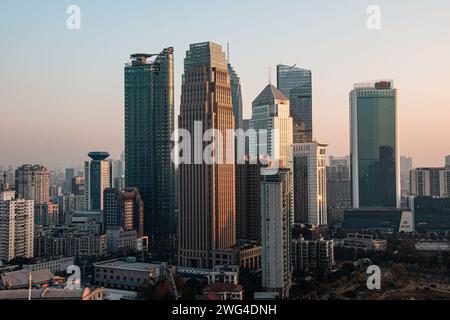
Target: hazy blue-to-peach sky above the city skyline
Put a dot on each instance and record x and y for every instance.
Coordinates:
(61, 91)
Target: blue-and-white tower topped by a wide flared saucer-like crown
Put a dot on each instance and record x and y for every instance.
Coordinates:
(97, 177)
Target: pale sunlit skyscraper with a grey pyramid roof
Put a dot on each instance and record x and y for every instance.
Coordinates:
(271, 113)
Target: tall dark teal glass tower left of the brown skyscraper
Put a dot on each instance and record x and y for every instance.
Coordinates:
(149, 123)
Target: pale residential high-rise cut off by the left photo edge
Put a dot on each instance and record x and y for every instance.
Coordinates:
(16, 227)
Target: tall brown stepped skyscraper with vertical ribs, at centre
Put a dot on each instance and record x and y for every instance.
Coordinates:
(207, 191)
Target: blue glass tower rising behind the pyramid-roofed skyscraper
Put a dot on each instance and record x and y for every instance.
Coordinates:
(296, 83)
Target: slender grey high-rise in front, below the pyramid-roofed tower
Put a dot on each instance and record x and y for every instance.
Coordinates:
(276, 220)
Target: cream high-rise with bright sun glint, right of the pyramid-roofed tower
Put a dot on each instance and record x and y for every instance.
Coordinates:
(310, 183)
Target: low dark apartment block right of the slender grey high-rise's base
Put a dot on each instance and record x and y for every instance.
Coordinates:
(313, 255)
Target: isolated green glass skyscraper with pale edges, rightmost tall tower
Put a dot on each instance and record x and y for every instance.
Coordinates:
(374, 145)
